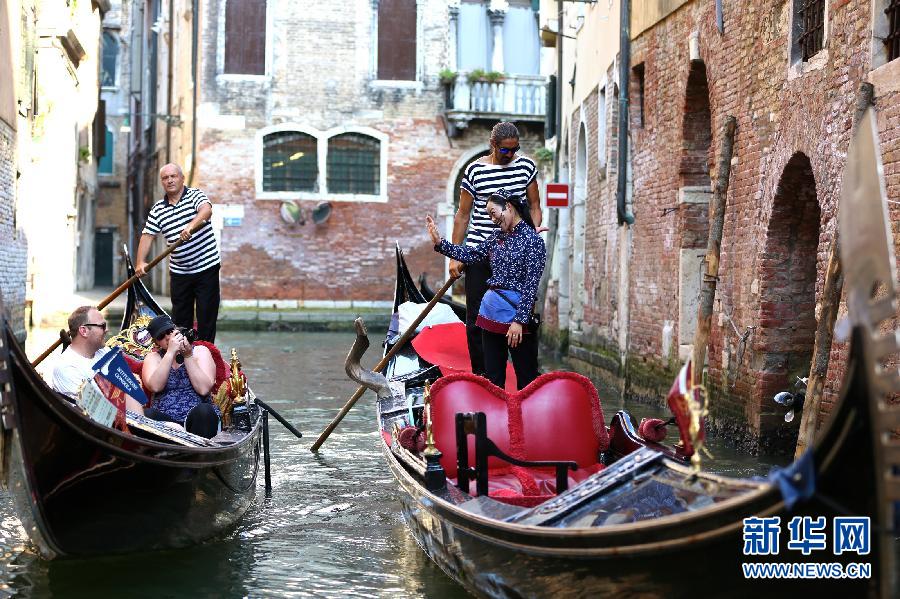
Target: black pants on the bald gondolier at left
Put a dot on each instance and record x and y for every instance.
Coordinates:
(200, 289)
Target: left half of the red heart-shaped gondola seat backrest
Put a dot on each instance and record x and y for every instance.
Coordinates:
(466, 392)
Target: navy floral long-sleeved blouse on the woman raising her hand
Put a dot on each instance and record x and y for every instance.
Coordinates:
(517, 262)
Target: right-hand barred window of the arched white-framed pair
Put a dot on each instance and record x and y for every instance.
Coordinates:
(354, 164)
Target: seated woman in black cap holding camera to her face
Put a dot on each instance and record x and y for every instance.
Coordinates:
(181, 376)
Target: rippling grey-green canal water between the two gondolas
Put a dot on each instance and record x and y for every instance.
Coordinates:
(332, 526)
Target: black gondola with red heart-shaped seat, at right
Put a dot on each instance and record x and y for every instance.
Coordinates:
(643, 523)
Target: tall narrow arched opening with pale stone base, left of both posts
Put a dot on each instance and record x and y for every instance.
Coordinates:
(694, 195)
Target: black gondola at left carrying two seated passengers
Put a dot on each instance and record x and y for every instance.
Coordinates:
(84, 489)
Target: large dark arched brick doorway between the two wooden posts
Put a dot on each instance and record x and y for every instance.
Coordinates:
(783, 344)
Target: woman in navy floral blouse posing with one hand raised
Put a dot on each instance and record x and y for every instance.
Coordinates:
(517, 256)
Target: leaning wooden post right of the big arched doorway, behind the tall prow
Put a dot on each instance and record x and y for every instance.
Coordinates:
(827, 308)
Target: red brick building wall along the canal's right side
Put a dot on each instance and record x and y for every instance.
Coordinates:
(794, 125)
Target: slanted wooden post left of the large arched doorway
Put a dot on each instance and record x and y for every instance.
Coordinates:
(713, 246)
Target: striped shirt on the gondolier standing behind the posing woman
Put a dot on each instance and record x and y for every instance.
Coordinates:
(481, 180)
